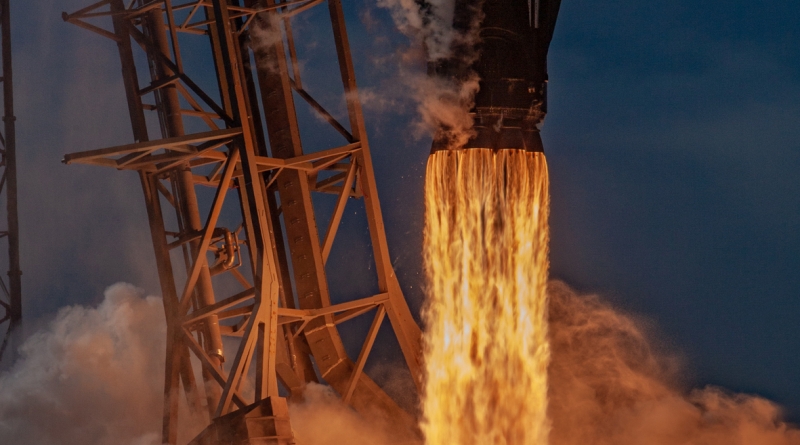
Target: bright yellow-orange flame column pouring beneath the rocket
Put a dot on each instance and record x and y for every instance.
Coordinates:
(486, 259)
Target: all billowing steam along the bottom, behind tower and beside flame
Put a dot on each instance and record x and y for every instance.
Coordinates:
(94, 376)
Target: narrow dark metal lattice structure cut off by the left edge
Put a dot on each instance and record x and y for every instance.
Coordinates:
(11, 294)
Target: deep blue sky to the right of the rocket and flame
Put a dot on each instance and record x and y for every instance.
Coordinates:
(673, 145)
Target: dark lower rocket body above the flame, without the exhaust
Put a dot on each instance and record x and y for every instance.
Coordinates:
(510, 59)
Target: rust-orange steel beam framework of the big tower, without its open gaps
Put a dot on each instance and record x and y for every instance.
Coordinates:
(277, 208)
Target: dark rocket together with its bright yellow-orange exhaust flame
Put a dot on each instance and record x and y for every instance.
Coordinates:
(486, 236)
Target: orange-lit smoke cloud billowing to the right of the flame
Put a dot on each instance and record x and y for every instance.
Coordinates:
(610, 385)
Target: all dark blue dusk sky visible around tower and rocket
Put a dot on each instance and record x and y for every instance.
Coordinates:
(672, 139)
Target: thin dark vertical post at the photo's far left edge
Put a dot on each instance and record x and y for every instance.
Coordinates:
(14, 272)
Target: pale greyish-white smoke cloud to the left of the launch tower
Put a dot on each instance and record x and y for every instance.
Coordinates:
(93, 376)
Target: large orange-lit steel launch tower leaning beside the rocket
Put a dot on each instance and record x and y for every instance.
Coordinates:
(262, 282)
